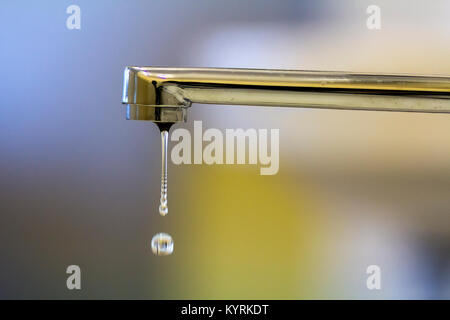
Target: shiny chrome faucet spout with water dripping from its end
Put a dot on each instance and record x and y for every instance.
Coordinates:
(163, 95)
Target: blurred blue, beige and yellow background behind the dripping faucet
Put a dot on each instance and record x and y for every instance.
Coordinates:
(80, 185)
